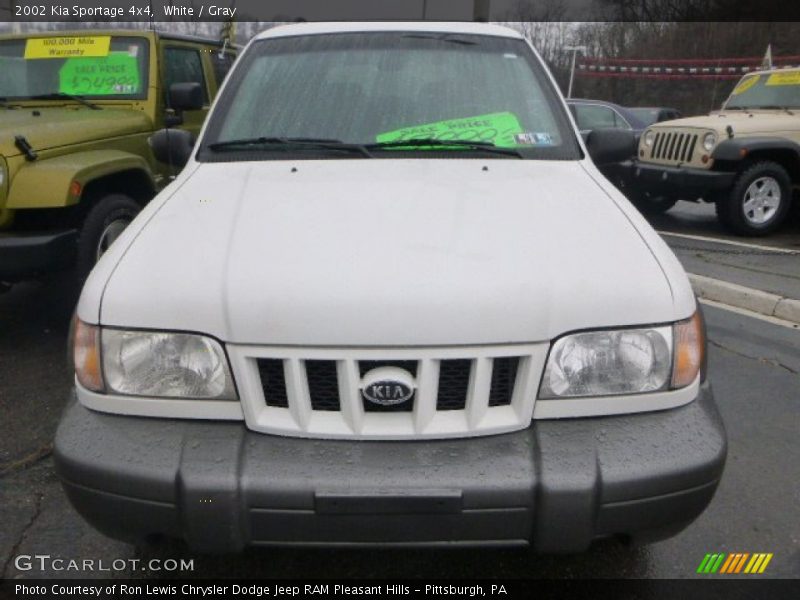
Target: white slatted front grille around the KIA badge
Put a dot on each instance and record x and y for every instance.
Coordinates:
(458, 391)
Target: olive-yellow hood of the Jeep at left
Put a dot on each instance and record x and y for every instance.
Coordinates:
(56, 127)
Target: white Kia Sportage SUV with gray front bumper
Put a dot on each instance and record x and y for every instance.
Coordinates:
(390, 299)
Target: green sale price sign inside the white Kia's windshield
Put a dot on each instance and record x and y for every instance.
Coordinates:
(497, 128)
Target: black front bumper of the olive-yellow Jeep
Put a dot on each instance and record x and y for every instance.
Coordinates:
(23, 255)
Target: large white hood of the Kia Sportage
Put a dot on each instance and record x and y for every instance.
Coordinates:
(386, 252)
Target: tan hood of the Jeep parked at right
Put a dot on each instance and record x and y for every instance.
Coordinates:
(754, 122)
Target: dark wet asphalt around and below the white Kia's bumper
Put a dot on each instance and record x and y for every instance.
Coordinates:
(754, 368)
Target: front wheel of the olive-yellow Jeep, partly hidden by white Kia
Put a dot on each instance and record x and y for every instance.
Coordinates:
(105, 222)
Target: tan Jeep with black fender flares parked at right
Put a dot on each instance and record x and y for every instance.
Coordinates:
(745, 158)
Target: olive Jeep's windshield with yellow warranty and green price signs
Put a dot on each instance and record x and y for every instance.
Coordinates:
(91, 66)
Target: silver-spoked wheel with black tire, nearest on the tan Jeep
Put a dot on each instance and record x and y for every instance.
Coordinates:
(759, 200)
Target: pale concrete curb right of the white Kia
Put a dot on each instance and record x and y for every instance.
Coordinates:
(747, 298)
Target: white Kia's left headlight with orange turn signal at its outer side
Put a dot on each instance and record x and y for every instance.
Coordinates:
(153, 364)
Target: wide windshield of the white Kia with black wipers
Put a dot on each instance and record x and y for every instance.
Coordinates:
(382, 88)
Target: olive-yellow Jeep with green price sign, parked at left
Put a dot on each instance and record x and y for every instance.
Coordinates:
(76, 112)
